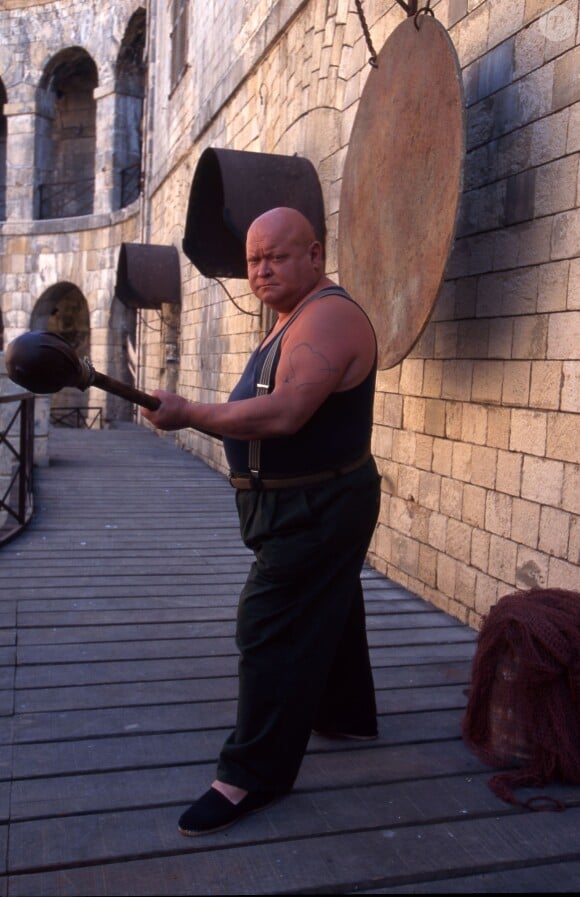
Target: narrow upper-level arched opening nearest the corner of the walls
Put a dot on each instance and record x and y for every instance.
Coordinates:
(129, 90)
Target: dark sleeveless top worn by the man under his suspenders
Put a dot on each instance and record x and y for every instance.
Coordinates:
(337, 434)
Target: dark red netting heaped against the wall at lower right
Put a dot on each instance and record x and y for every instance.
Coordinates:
(523, 710)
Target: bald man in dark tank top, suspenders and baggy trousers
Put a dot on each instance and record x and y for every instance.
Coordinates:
(296, 433)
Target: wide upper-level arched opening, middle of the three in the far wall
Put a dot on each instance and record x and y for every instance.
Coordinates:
(66, 136)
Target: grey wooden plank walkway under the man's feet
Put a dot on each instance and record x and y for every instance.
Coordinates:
(118, 686)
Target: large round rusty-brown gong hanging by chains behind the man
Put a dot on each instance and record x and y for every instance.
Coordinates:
(402, 183)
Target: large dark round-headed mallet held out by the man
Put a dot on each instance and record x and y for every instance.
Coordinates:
(43, 362)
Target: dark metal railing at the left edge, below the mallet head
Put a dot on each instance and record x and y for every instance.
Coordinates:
(16, 464)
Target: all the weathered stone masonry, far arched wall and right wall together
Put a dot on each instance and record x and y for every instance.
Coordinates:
(477, 430)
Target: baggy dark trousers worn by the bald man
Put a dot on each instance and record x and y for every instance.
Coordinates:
(304, 660)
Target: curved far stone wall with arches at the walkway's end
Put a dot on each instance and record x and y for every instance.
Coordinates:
(43, 255)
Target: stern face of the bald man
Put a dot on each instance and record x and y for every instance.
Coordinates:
(282, 264)
